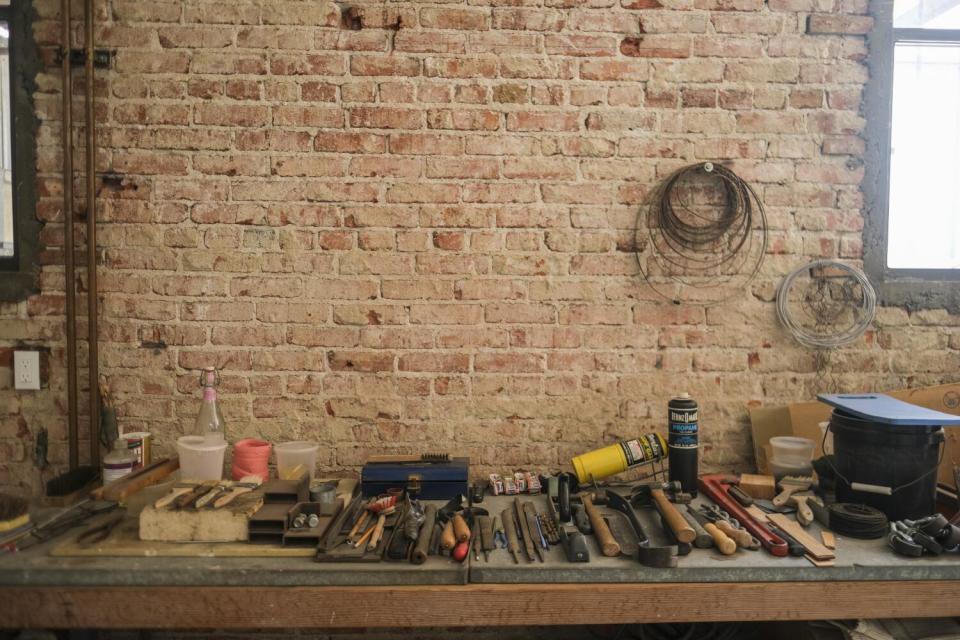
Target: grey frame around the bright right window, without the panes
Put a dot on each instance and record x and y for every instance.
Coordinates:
(913, 288)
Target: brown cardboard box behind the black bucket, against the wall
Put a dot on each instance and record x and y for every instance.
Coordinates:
(803, 419)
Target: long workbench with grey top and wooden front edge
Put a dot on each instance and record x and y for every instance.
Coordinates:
(42, 591)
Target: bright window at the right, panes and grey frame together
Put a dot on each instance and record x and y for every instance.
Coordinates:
(912, 240)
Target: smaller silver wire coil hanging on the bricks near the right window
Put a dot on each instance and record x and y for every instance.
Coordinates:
(825, 305)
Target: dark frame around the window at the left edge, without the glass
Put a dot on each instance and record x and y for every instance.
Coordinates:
(19, 272)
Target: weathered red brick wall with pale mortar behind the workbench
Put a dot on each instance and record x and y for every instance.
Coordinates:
(409, 225)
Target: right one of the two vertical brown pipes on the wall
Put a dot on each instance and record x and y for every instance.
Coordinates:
(91, 183)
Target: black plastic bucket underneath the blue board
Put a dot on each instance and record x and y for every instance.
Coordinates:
(903, 458)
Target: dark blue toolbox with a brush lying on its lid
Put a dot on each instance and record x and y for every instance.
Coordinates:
(427, 477)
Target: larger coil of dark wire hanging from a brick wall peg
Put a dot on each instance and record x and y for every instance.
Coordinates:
(703, 237)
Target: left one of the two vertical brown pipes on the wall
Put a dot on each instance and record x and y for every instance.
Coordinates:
(69, 277)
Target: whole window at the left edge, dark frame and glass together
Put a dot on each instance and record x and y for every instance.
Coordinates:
(19, 227)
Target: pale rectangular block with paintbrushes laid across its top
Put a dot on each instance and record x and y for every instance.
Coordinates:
(228, 524)
